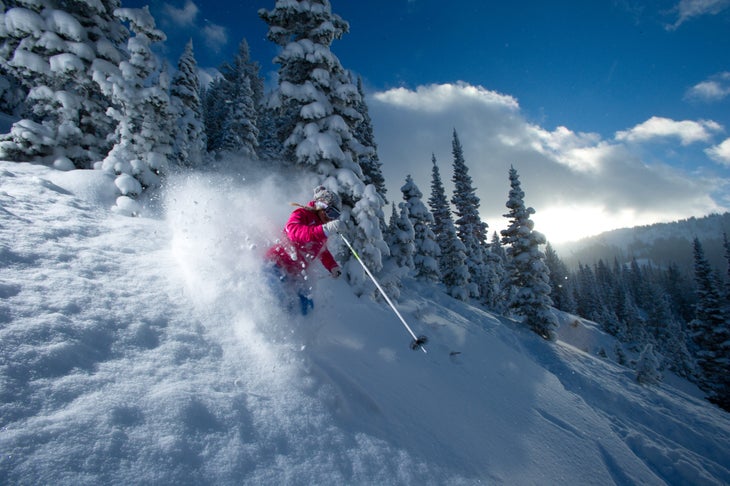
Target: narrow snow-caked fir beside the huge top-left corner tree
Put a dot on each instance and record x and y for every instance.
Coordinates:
(144, 124)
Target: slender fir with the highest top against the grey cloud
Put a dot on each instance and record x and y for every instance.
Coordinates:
(472, 231)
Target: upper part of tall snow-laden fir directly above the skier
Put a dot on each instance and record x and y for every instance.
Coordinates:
(314, 88)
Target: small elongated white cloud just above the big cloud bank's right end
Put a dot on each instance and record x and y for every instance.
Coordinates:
(658, 127)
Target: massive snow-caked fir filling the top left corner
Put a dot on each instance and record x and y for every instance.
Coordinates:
(50, 47)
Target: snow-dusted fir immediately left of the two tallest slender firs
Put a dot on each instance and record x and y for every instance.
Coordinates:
(427, 251)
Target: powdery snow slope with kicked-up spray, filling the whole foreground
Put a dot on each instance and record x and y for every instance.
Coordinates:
(148, 351)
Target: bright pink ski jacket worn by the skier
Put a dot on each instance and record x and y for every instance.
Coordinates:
(303, 242)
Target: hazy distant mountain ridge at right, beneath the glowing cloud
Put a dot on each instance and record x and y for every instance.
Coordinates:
(658, 244)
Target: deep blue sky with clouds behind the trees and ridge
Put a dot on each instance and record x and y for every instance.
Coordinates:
(615, 113)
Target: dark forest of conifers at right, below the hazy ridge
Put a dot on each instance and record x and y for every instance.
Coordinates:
(673, 320)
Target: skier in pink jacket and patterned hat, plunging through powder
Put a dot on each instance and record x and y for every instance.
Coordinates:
(305, 240)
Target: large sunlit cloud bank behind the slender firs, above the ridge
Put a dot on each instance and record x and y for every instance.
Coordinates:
(593, 183)
